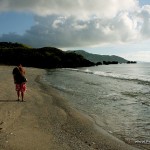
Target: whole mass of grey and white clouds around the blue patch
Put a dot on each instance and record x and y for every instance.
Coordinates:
(79, 23)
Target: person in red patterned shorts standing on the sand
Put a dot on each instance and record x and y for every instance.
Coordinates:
(20, 81)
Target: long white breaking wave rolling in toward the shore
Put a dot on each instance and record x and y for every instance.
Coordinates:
(141, 78)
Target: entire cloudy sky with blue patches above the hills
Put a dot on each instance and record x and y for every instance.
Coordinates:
(112, 27)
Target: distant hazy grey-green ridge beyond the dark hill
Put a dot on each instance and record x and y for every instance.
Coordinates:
(100, 58)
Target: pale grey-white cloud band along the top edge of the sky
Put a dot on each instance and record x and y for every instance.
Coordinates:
(78, 8)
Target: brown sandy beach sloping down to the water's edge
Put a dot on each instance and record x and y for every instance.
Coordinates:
(45, 121)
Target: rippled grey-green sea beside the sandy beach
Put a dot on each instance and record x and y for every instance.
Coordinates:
(116, 97)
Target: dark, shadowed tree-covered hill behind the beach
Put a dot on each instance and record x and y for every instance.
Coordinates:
(46, 57)
